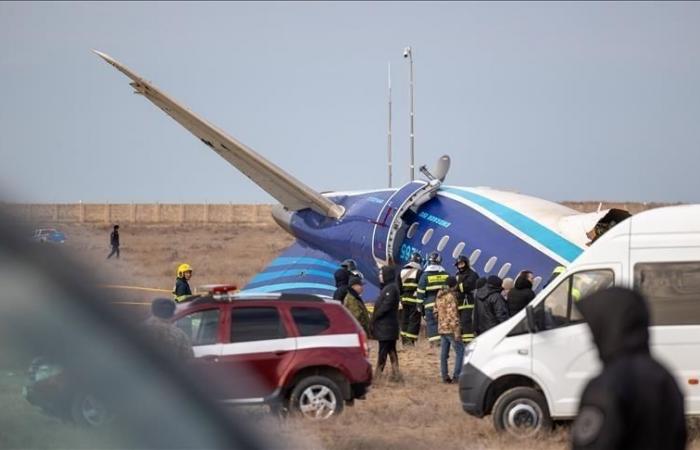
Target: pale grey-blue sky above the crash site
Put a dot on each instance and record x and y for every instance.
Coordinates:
(566, 101)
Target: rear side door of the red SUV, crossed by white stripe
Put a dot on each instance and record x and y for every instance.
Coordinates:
(259, 350)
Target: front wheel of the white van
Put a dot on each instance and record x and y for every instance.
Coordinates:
(522, 412)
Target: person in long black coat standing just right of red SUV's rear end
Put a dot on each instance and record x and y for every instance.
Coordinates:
(385, 321)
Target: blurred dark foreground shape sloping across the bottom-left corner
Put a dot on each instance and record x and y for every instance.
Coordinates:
(48, 308)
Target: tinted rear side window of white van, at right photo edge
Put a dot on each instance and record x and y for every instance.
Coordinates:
(672, 290)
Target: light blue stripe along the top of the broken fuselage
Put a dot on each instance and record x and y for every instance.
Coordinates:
(543, 235)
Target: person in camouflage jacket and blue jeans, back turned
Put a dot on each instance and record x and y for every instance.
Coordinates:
(449, 329)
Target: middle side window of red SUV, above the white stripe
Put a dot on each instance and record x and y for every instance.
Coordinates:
(256, 324)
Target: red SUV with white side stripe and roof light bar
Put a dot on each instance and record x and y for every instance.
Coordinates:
(293, 351)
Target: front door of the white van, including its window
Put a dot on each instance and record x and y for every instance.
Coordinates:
(564, 357)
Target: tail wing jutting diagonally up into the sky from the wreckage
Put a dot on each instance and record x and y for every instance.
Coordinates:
(286, 189)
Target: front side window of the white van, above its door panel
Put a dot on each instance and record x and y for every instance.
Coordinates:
(559, 308)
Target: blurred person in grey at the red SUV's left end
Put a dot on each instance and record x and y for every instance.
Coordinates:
(165, 334)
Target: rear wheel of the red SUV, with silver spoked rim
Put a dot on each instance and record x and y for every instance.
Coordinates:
(316, 398)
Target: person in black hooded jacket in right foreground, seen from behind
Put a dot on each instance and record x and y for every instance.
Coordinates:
(635, 402)
